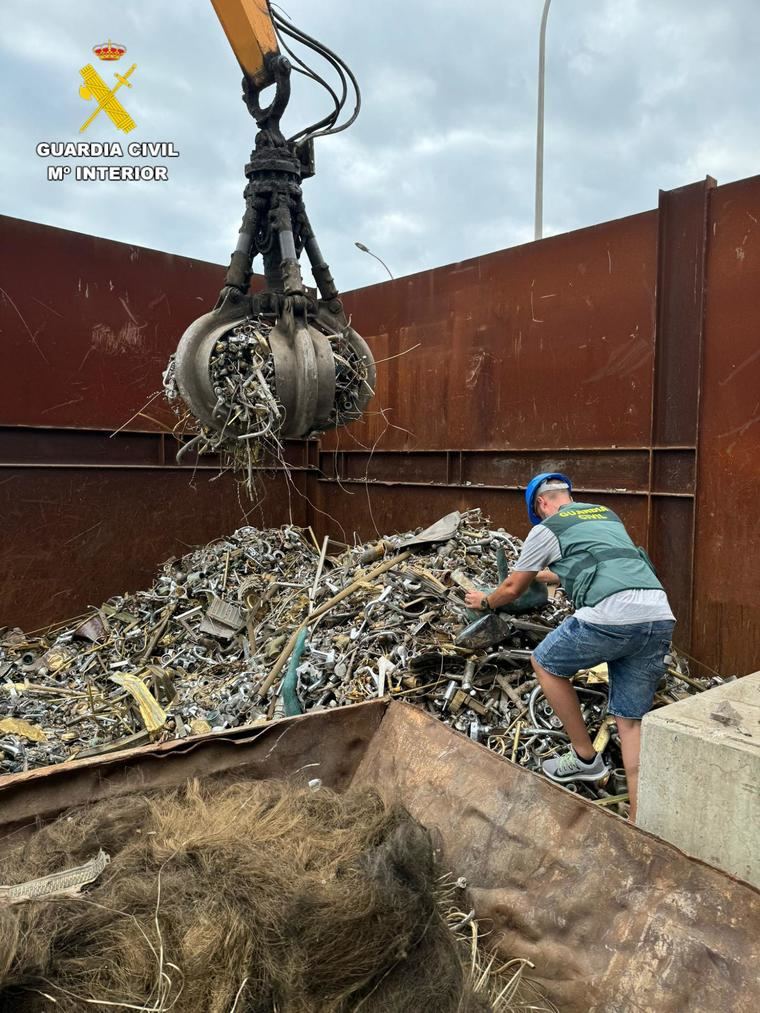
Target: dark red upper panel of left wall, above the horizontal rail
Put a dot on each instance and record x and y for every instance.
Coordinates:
(89, 326)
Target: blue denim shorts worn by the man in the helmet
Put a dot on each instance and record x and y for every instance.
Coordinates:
(635, 655)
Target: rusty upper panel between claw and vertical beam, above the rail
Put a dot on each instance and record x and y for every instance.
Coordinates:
(544, 346)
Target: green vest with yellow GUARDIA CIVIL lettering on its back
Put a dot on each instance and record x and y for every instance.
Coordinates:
(598, 559)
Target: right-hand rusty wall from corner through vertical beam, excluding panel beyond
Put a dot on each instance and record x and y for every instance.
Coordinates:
(556, 356)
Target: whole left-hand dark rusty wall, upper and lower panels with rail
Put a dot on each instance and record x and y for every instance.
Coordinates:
(87, 328)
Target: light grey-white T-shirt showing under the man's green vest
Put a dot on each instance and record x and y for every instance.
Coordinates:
(542, 550)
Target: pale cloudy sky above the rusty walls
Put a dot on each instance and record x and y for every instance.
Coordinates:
(641, 95)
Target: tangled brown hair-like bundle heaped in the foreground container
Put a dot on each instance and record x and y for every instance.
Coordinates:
(255, 898)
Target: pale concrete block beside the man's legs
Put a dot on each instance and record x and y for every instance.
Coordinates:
(700, 778)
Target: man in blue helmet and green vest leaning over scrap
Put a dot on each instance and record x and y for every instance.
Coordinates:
(623, 617)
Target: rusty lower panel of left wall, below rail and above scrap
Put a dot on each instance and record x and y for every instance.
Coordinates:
(74, 536)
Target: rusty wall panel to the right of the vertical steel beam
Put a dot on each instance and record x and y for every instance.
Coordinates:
(727, 626)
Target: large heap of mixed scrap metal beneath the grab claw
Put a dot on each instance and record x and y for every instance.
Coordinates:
(269, 624)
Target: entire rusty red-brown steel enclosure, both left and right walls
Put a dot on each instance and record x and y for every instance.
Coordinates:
(625, 354)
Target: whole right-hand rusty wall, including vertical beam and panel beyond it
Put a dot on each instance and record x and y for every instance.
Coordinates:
(643, 385)
